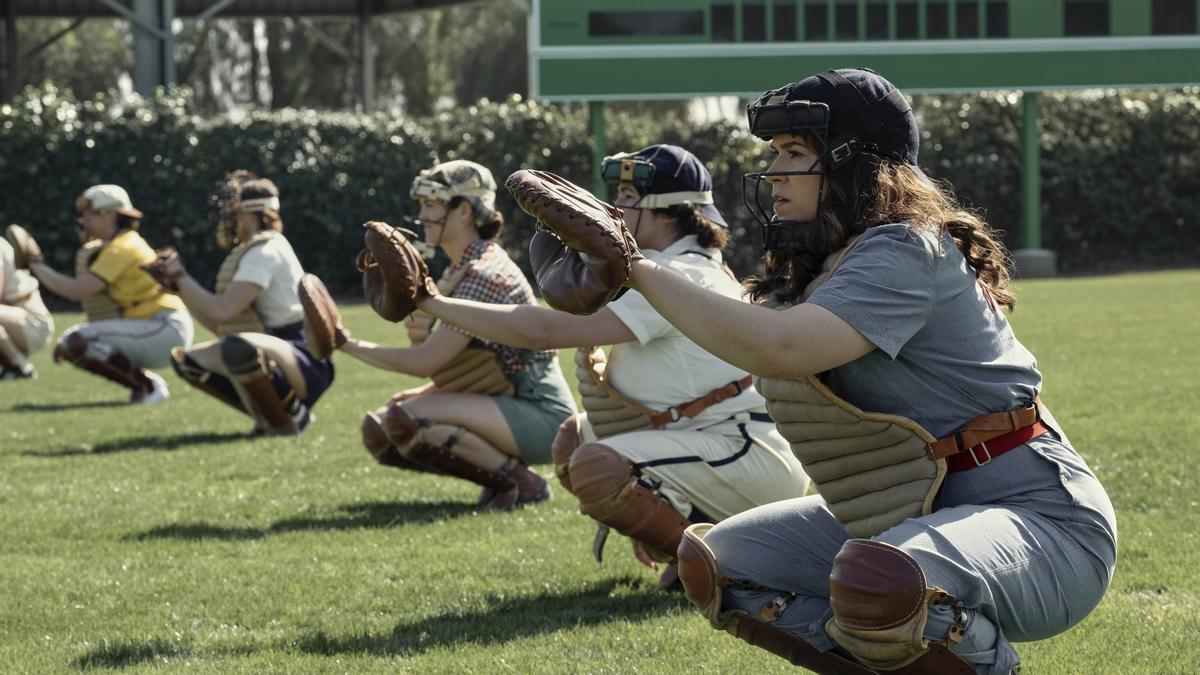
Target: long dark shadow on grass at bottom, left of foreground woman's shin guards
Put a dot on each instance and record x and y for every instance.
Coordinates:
(509, 619)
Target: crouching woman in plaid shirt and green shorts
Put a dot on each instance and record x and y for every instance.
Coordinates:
(490, 409)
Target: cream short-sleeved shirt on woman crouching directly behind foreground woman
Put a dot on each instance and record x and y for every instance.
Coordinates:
(664, 368)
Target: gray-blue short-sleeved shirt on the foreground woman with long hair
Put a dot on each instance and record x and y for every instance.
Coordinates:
(946, 353)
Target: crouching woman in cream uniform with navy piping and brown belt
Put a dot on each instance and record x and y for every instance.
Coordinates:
(670, 435)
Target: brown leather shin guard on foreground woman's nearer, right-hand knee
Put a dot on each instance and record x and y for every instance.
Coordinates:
(880, 607)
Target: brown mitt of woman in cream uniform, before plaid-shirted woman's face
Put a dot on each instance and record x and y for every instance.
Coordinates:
(394, 274)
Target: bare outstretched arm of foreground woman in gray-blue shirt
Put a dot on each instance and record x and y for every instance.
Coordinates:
(803, 341)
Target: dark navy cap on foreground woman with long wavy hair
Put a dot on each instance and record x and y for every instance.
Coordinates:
(862, 111)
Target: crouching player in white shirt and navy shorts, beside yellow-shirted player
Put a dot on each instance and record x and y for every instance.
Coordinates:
(261, 366)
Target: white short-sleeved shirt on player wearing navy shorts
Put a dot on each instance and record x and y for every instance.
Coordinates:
(274, 268)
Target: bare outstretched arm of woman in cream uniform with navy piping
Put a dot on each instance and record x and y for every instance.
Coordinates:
(530, 327)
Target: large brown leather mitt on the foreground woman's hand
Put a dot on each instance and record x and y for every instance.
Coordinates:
(583, 254)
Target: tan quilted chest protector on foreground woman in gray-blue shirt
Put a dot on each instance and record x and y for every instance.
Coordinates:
(871, 469)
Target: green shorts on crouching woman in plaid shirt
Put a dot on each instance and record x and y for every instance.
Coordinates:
(542, 403)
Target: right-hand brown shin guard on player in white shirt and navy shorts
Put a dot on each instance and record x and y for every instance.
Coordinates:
(259, 384)
